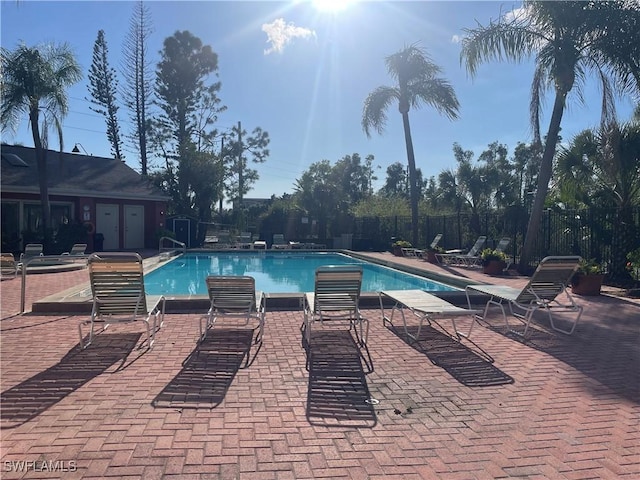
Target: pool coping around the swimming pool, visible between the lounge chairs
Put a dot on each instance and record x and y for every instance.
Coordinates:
(70, 301)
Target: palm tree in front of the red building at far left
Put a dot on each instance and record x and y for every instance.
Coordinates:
(34, 81)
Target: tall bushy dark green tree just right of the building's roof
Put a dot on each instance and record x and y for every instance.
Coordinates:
(184, 134)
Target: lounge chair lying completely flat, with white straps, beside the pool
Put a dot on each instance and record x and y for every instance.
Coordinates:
(425, 307)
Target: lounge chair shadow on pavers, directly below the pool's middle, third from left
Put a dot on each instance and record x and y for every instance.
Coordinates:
(338, 395)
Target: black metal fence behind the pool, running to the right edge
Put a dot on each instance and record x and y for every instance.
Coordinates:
(593, 233)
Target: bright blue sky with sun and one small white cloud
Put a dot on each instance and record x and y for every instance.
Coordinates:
(301, 71)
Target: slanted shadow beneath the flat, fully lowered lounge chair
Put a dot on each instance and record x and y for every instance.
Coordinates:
(466, 366)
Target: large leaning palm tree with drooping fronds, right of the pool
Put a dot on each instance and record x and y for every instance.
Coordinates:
(568, 39)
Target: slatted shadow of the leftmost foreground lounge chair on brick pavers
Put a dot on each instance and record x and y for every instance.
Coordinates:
(33, 396)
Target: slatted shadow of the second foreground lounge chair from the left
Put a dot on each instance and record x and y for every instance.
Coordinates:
(209, 370)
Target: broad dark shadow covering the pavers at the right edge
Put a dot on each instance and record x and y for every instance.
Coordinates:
(605, 348)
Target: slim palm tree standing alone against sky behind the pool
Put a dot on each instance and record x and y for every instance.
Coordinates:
(417, 82)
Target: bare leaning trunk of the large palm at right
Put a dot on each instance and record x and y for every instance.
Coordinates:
(546, 167)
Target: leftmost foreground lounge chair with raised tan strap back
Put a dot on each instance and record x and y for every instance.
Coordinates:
(117, 287)
